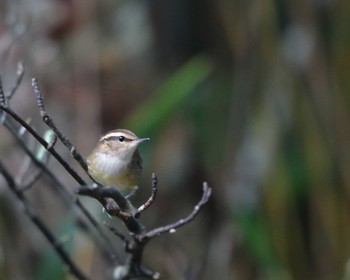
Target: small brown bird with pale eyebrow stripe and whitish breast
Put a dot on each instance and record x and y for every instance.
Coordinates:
(116, 161)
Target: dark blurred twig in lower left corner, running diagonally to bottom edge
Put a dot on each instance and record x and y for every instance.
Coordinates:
(29, 210)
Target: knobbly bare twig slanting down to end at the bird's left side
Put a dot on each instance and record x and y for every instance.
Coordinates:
(50, 123)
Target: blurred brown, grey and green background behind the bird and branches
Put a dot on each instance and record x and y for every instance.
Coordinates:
(251, 96)
